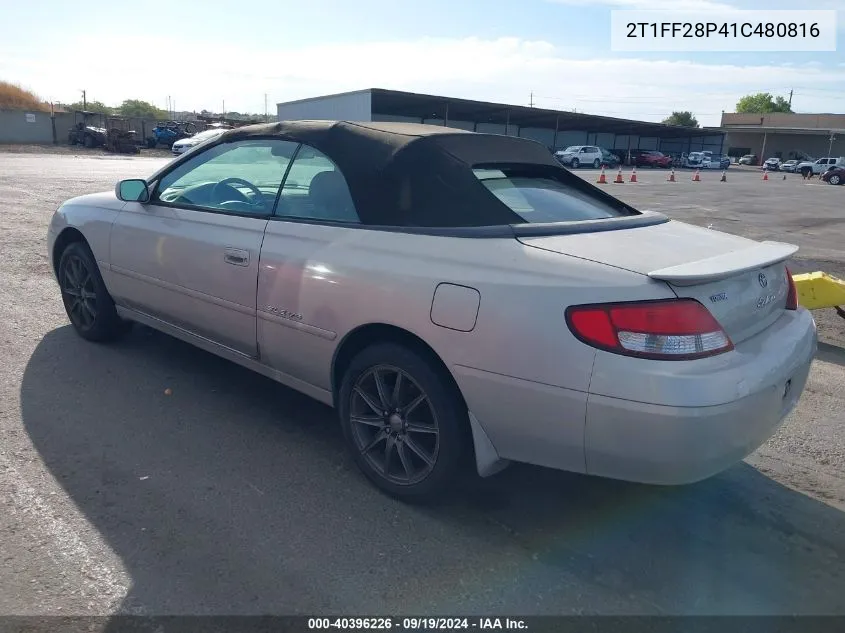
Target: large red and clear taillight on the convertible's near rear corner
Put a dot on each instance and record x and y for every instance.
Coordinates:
(679, 329)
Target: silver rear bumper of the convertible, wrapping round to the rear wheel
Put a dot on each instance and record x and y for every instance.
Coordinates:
(703, 416)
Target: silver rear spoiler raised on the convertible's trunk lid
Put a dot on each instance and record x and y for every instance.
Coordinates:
(726, 265)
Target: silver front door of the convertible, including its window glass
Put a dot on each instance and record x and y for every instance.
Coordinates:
(190, 255)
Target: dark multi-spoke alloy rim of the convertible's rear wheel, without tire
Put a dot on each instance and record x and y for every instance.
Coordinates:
(394, 425)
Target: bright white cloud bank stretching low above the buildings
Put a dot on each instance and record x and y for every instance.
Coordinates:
(504, 70)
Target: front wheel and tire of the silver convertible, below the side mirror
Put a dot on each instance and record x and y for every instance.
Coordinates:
(87, 303)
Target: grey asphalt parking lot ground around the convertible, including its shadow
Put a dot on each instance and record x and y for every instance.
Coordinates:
(234, 495)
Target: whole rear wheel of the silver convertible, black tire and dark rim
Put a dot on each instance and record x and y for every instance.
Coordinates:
(440, 419)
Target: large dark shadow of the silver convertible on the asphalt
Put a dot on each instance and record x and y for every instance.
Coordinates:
(234, 495)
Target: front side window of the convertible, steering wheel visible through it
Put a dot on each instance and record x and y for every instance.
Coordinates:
(242, 177)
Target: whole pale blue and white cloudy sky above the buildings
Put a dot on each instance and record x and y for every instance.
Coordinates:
(553, 53)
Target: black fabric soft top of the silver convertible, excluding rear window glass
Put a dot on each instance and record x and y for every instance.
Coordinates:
(419, 178)
